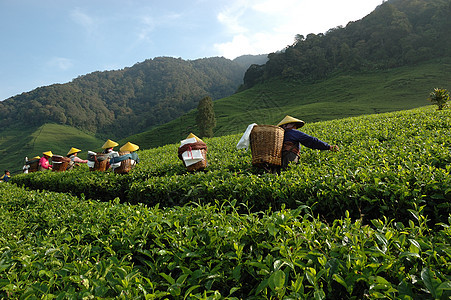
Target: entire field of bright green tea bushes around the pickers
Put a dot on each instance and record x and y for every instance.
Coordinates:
(370, 221)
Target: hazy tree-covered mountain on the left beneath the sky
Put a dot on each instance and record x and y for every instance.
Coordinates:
(129, 100)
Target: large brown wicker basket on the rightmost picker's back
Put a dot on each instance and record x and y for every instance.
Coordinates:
(266, 145)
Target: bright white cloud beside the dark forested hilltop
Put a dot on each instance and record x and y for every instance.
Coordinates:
(256, 27)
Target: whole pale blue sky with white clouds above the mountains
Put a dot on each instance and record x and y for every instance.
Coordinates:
(54, 41)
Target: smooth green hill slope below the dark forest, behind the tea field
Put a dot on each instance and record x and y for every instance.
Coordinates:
(344, 95)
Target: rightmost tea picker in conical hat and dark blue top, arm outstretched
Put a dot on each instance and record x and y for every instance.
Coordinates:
(293, 138)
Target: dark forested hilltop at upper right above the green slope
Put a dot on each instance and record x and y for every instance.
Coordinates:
(397, 33)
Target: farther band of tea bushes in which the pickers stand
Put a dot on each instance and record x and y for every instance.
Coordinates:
(387, 164)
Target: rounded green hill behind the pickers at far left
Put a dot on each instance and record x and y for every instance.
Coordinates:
(17, 143)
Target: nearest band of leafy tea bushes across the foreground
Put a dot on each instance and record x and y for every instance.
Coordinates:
(59, 246)
